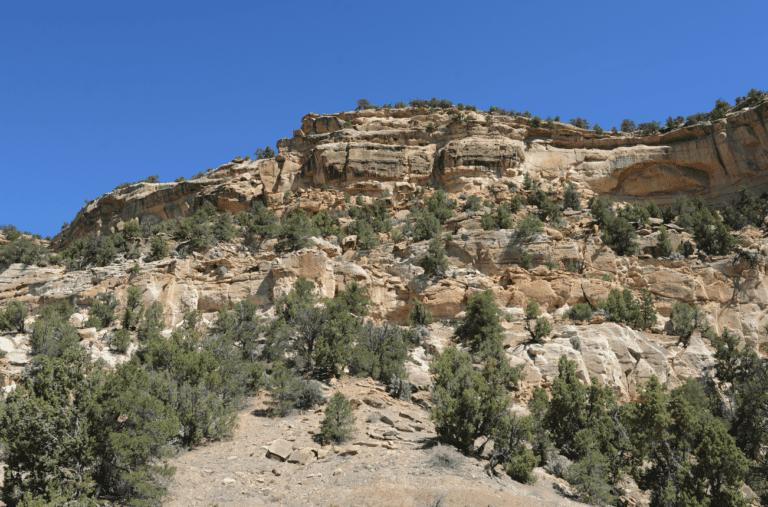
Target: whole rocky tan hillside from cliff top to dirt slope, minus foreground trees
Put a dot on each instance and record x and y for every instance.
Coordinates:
(372, 176)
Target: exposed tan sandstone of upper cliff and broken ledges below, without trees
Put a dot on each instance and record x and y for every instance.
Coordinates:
(367, 152)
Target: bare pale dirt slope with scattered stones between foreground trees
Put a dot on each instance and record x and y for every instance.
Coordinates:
(366, 471)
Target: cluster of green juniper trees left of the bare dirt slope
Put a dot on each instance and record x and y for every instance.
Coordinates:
(73, 431)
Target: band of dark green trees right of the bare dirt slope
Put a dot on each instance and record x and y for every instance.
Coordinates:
(692, 446)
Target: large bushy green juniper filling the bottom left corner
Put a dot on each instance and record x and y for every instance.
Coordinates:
(72, 431)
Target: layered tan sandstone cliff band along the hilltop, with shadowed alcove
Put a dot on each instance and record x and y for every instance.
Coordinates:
(400, 149)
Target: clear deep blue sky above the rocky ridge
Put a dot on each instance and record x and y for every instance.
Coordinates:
(93, 94)
